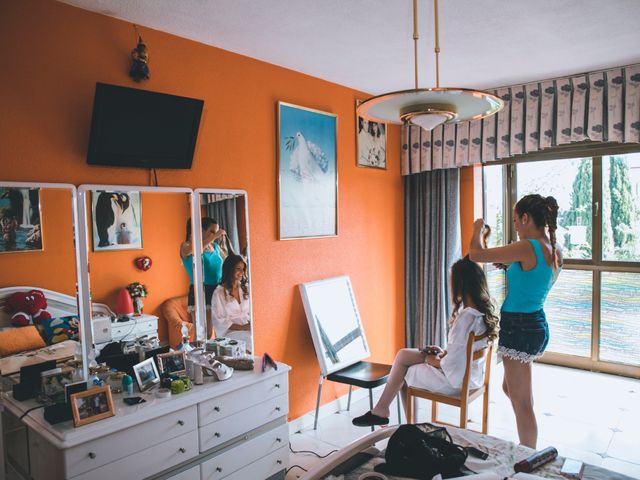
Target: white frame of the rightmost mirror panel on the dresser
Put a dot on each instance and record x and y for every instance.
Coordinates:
(197, 245)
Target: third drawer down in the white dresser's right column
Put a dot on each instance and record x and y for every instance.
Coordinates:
(245, 453)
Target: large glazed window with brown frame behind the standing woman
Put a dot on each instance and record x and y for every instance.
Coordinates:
(594, 308)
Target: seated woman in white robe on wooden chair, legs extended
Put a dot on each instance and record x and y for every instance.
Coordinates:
(433, 368)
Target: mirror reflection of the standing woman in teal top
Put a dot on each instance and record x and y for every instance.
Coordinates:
(211, 264)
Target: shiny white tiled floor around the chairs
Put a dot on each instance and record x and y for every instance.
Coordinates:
(588, 416)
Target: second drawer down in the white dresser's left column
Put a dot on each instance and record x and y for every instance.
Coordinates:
(148, 462)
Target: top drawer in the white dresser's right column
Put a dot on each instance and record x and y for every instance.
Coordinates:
(225, 405)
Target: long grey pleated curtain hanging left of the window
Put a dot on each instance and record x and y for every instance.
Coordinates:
(432, 244)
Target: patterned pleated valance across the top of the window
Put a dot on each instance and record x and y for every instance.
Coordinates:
(602, 106)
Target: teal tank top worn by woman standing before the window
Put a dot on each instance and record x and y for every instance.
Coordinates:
(527, 290)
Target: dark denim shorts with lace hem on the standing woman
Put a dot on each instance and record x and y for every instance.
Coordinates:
(523, 336)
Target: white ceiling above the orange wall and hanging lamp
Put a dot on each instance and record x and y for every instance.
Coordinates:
(367, 44)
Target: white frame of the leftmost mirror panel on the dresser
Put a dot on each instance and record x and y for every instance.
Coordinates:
(85, 334)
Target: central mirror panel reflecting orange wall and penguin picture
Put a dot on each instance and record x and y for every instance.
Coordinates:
(132, 241)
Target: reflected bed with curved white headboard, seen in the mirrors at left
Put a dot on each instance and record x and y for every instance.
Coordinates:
(59, 305)
